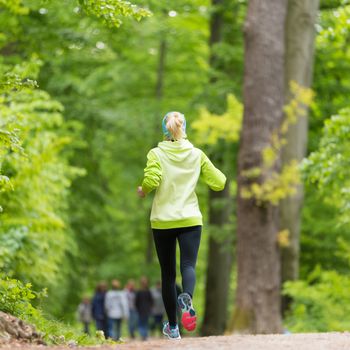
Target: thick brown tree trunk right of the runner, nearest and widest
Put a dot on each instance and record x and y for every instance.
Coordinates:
(258, 289)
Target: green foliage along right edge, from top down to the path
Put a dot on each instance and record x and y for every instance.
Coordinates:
(320, 300)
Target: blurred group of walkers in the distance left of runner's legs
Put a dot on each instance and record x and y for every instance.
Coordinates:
(141, 308)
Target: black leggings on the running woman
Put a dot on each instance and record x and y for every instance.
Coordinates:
(165, 241)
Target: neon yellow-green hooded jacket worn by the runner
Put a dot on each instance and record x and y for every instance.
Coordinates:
(173, 169)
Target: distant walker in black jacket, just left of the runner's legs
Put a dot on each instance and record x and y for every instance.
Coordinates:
(144, 304)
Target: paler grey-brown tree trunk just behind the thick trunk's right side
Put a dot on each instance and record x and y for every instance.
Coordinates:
(300, 37)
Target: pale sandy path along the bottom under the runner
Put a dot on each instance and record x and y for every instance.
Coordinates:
(311, 341)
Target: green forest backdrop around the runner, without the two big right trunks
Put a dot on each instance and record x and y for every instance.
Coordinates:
(83, 89)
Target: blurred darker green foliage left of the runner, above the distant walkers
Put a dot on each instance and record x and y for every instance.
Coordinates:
(118, 106)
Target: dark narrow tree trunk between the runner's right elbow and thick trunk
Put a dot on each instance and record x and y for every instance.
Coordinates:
(219, 251)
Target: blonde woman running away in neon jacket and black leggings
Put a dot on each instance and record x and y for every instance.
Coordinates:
(173, 169)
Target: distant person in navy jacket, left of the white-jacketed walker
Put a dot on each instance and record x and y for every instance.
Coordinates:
(98, 309)
